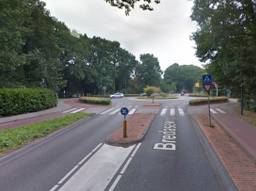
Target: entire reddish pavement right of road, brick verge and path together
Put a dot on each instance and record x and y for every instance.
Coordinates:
(234, 141)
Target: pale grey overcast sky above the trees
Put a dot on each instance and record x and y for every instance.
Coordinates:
(164, 32)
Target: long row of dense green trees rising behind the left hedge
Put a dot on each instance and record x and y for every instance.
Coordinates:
(37, 50)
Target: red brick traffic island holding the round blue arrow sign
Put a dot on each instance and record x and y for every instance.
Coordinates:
(137, 127)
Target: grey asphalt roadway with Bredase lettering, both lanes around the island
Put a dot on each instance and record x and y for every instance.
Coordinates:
(77, 158)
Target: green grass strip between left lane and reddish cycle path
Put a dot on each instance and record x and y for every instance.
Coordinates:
(16, 137)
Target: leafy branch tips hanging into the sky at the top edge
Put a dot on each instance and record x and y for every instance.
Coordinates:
(130, 4)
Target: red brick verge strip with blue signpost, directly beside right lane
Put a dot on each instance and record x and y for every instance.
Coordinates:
(241, 168)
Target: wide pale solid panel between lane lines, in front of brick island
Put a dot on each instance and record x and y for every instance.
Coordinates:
(98, 171)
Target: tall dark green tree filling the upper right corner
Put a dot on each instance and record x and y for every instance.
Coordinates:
(226, 40)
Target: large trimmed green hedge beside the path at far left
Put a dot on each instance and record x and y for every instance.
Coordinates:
(15, 101)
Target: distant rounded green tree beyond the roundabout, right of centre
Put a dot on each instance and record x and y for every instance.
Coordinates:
(184, 76)
